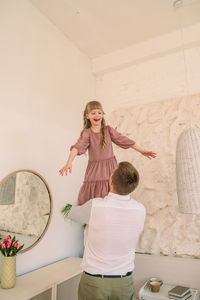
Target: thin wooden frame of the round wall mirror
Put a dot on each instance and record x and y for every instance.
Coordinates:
(50, 199)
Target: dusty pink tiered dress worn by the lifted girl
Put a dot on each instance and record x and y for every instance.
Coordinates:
(101, 163)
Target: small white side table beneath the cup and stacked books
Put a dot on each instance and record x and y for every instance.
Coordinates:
(146, 294)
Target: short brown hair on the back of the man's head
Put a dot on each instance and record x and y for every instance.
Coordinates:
(125, 178)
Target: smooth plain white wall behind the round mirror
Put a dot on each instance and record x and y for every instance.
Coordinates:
(45, 82)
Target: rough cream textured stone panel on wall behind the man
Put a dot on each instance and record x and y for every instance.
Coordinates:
(157, 126)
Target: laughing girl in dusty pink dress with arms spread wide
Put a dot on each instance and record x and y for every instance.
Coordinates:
(97, 138)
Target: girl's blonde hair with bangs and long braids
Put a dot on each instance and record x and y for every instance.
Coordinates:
(86, 122)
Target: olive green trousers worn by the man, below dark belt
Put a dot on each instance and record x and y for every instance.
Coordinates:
(97, 288)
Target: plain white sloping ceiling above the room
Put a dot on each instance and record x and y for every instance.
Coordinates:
(99, 27)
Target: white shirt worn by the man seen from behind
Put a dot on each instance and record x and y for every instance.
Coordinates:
(115, 224)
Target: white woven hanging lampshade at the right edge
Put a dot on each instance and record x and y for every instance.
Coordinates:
(188, 171)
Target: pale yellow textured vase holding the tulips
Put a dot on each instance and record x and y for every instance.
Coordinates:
(8, 276)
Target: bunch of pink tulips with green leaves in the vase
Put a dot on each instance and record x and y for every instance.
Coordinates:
(10, 246)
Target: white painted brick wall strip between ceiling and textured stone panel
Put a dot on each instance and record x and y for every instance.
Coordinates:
(151, 71)
